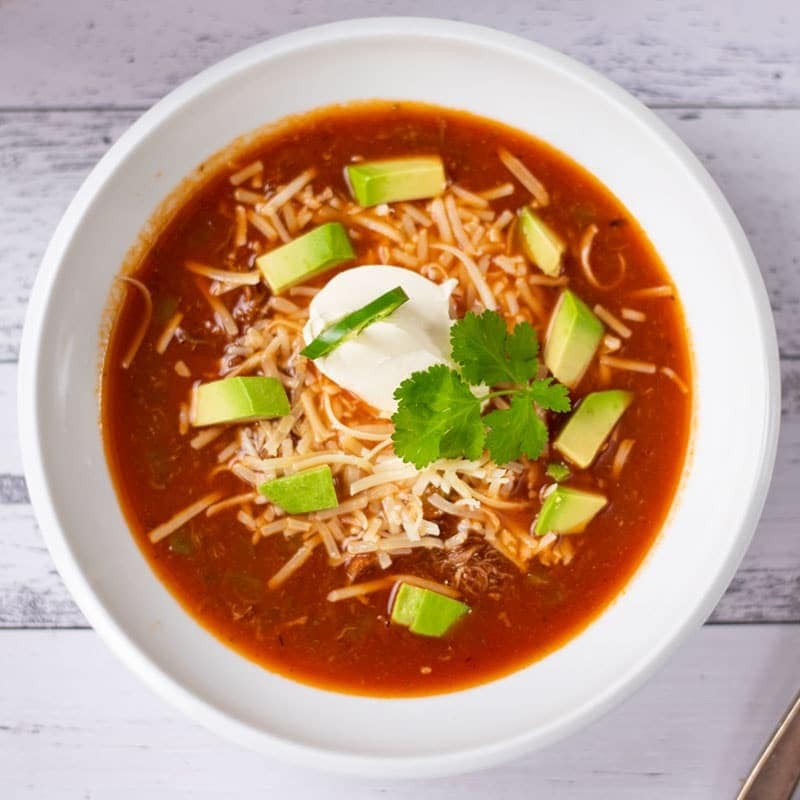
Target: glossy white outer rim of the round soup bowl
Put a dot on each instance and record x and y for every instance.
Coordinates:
(193, 705)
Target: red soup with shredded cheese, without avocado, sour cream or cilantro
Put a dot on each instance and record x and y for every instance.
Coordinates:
(276, 586)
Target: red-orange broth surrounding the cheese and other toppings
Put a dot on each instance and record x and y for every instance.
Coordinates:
(212, 565)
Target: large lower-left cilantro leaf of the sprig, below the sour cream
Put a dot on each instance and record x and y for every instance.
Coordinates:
(437, 417)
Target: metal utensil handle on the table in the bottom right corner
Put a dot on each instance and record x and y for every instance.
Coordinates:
(776, 773)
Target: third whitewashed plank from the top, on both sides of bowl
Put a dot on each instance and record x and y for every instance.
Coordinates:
(766, 587)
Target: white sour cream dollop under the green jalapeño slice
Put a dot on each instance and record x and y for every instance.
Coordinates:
(374, 363)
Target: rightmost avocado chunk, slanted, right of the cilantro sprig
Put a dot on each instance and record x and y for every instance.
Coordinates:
(590, 425)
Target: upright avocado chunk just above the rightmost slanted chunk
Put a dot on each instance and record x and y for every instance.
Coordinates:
(573, 336)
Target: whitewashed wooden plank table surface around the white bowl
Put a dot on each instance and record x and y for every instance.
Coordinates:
(726, 76)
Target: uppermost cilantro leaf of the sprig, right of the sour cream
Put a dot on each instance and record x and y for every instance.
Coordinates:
(488, 354)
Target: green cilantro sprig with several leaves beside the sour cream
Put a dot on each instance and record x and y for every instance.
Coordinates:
(439, 415)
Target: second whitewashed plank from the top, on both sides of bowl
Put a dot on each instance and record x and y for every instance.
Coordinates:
(45, 155)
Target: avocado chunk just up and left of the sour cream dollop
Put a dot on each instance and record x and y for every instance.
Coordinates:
(318, 250)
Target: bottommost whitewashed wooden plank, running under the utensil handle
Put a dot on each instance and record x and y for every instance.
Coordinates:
(89, 729)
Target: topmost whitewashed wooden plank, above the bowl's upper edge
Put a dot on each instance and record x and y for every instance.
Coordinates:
(111, 53)
